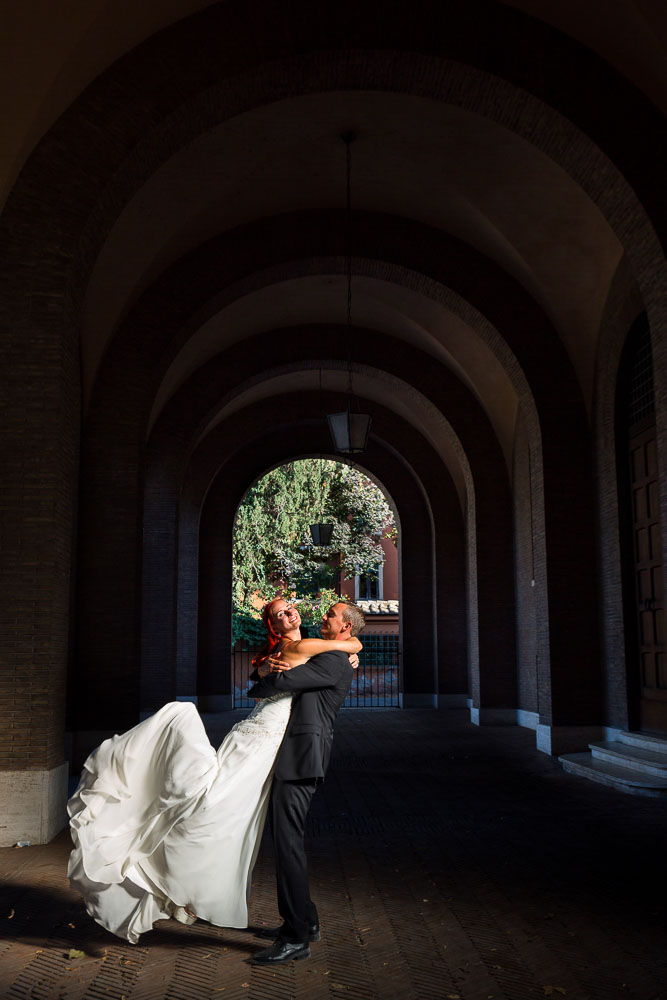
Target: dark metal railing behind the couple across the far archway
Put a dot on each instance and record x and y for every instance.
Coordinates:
(375, 684)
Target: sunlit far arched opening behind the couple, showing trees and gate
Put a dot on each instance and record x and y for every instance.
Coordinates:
(278, 548)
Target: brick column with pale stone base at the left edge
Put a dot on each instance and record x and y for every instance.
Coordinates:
(40, 397)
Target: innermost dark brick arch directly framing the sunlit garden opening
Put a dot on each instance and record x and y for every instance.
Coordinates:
(433, 597)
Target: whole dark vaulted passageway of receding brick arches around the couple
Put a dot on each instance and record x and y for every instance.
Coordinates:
(174, 252)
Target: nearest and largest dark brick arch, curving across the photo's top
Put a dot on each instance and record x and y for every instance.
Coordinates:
(67, 186)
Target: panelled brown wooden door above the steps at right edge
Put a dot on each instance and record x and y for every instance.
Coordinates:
(652, 659)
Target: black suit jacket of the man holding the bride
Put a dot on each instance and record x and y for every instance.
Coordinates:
(321, 686)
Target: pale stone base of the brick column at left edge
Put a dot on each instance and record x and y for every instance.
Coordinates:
(33, 805)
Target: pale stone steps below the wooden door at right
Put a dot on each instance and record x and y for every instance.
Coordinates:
(633, 763)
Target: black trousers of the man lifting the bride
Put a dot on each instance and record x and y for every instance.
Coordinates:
(290, 801)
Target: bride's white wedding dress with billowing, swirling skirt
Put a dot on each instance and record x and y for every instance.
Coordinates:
(161, 821)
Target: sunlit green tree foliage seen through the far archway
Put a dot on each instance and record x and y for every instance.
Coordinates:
(273, 550)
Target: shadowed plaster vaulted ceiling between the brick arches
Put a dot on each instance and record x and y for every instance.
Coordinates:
(506, 177)
